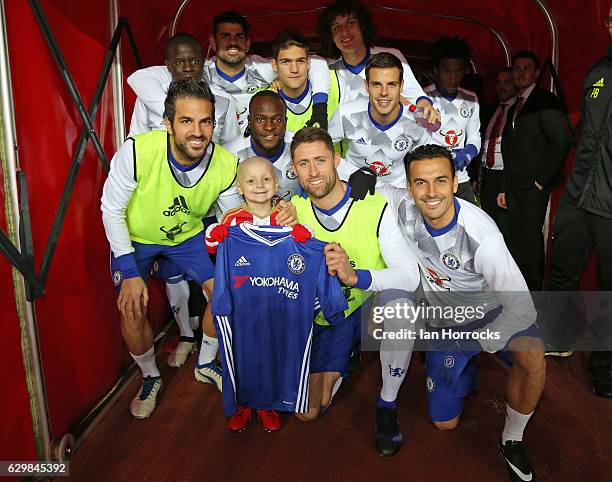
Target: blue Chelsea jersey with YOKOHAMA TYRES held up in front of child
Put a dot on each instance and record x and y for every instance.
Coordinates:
(268, 289)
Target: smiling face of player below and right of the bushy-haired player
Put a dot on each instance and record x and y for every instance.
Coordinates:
(384, 87)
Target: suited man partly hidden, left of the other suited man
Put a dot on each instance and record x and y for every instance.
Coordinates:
(491, 158)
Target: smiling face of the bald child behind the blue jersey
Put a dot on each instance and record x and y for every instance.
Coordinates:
(256, 180)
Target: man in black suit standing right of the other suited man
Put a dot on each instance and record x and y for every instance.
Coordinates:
(534, 144)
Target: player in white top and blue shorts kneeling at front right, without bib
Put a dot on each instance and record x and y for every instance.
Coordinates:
(464, 262)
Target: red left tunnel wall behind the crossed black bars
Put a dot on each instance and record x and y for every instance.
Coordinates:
(81, 347)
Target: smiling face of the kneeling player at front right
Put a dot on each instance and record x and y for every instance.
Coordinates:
(432, 184)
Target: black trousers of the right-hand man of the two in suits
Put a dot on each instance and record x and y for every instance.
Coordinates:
(526, 213)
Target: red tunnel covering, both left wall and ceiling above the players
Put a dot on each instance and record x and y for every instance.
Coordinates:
(81, 346)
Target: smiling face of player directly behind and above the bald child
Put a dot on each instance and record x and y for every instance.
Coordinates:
(267, 122)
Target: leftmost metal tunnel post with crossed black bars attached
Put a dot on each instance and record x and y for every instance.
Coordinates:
(20, 252)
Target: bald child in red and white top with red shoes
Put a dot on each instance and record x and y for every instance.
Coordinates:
(257, 182)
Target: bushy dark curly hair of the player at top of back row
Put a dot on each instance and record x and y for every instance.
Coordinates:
(344, 8)
